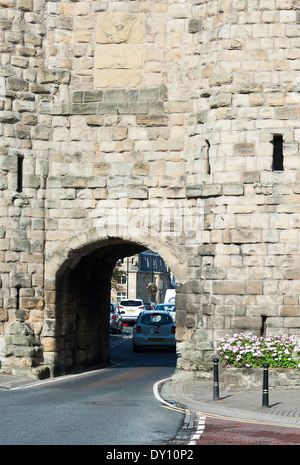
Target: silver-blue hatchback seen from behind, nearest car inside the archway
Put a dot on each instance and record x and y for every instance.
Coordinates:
(153, 329)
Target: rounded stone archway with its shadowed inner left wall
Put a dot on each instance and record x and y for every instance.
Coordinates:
(77, 281)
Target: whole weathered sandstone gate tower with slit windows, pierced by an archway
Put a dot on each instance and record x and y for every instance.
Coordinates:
(170, 125)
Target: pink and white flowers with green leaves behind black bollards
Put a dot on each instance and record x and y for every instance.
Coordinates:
(250, 351)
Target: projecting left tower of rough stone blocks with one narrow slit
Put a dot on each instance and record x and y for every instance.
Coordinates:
(23, 173)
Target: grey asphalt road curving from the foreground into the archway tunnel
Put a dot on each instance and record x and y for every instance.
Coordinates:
(110, 406)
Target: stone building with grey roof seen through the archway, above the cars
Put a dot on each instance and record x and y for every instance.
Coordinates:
(144, 276)
